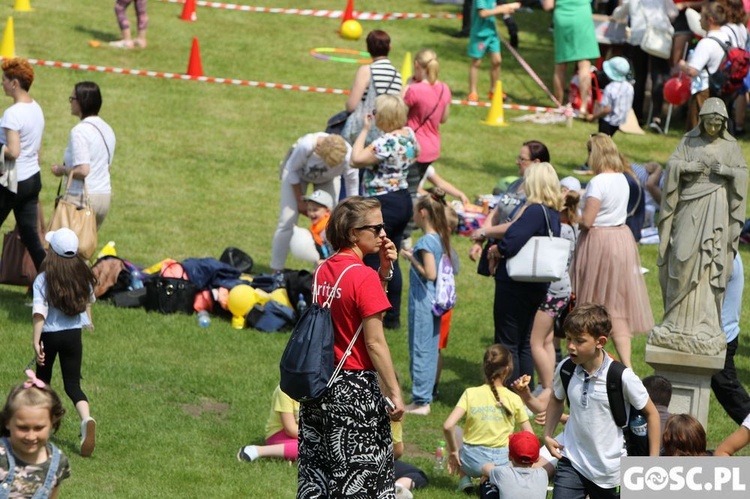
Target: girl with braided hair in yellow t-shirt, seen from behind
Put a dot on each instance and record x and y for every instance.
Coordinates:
(492, 414)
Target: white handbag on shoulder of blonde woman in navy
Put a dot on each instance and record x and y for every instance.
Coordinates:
(542, 258)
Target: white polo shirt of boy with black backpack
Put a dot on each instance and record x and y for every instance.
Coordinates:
(594, 443)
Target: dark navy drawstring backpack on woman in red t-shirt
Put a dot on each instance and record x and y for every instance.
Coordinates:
(307, 362)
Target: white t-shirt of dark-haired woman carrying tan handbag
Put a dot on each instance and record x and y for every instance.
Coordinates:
(87, 146)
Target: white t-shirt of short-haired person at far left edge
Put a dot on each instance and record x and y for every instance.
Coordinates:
(27, 119)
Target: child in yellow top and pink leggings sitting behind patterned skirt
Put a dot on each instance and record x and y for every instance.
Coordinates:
(281, 431)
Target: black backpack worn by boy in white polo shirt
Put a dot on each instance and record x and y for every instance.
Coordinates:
(635, 444)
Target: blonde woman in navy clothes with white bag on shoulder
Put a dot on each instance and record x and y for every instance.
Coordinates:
(516, 302)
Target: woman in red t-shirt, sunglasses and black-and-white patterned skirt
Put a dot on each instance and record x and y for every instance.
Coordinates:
(345, 446)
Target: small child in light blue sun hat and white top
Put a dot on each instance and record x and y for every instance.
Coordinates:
(617, 98)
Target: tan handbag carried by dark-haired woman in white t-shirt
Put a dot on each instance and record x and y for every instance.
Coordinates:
(76, 216)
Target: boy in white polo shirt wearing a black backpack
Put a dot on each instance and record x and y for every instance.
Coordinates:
(589, 463)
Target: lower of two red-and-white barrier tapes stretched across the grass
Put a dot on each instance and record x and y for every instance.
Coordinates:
(246, 83)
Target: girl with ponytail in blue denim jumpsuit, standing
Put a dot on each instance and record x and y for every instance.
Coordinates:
(426, 271)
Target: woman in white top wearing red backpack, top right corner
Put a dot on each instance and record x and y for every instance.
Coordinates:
(705, 59)
